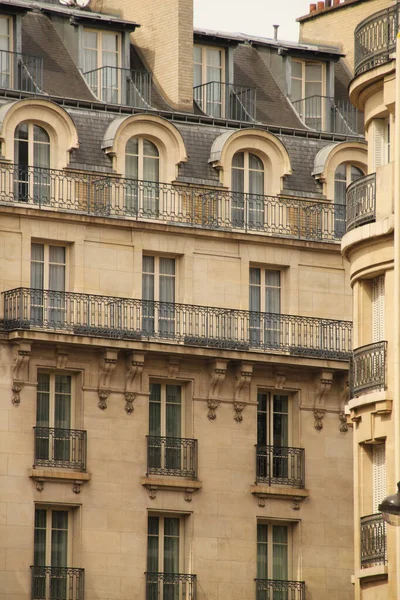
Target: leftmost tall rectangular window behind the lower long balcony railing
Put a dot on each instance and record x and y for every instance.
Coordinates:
(48, 276)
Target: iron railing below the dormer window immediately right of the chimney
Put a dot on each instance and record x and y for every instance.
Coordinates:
(226, 100)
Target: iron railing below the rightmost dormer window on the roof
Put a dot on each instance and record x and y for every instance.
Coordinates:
(327, 114)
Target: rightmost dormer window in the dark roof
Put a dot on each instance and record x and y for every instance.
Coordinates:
(308, 87)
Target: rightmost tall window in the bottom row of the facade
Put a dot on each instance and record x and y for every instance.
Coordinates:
(272, 559)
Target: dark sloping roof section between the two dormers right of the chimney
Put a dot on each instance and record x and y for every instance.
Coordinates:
(273, 107)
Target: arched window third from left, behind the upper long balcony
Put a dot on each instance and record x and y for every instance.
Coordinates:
(248, 190)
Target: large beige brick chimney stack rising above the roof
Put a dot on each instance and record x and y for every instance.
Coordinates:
(165, 41)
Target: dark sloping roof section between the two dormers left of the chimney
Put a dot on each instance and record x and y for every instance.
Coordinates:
(61, 76)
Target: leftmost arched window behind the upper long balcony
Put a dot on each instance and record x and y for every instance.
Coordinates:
(32, 163)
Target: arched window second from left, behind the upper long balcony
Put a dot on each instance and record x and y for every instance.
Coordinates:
(142, 163)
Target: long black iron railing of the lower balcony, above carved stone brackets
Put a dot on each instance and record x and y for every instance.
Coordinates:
(211, 327)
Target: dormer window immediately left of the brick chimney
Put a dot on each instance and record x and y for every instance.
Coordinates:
(101, 59)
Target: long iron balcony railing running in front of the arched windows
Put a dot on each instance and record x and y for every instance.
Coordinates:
(178, 204)
